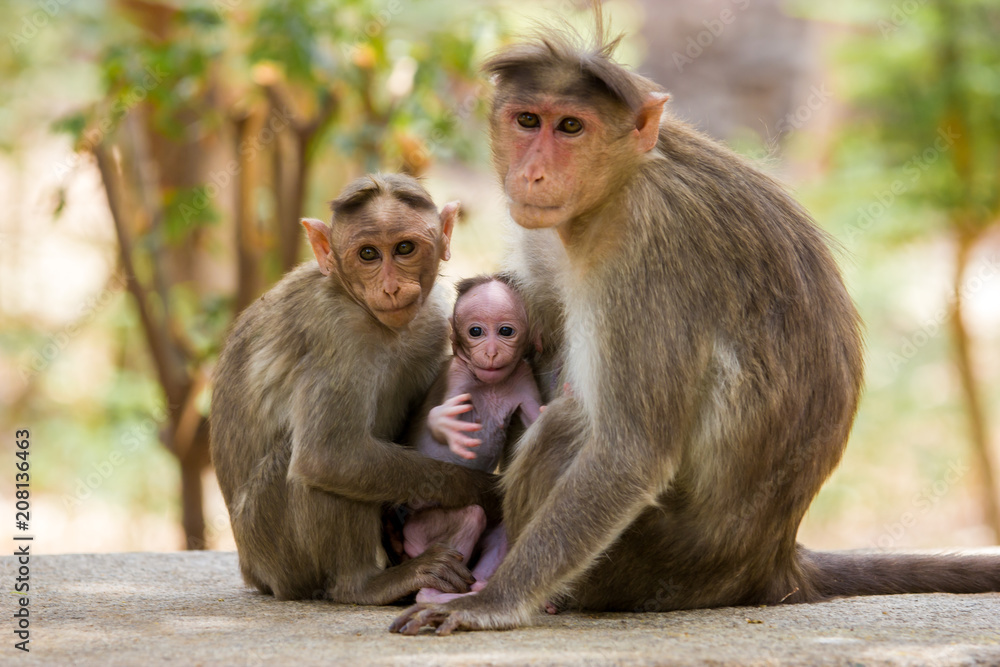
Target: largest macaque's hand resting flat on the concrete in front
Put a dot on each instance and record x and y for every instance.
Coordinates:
(469, 612)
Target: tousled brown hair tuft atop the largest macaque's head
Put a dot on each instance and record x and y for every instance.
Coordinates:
(554, 53)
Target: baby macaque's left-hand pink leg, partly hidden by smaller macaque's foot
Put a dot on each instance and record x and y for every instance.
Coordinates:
(459, 529)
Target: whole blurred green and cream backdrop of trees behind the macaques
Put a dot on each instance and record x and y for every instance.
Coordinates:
(155, 158)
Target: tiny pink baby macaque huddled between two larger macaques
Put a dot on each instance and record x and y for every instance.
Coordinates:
(484, 385)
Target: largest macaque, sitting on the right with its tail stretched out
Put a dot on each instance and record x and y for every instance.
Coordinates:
(714, 354)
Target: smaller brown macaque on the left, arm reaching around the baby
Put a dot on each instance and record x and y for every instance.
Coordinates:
(317, 379)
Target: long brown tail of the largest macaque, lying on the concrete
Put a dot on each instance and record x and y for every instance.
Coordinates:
(837, 574)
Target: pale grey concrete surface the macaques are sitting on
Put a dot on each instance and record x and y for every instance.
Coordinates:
(192, 608)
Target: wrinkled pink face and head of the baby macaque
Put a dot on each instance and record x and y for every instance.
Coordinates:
(491, 332)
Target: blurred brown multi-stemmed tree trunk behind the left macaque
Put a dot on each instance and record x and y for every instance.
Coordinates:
(144, 169)
